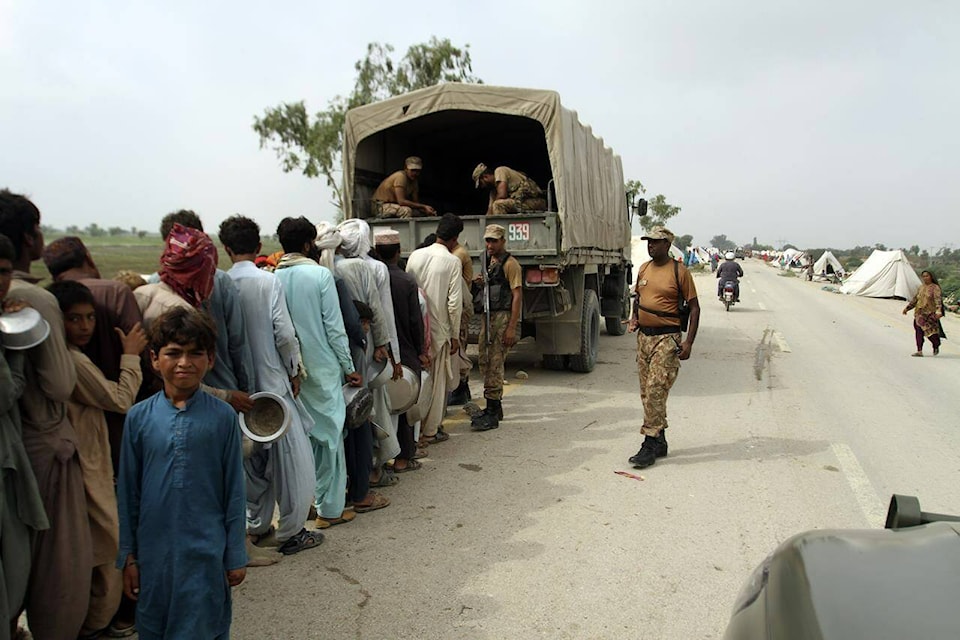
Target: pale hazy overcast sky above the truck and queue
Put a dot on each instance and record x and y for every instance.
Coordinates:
(818, 123)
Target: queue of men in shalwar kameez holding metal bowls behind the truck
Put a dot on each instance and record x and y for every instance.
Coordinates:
(333, 309)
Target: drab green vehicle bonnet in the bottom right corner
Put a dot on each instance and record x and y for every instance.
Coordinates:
(842, 584)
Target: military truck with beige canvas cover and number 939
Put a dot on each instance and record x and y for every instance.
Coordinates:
(575, 254)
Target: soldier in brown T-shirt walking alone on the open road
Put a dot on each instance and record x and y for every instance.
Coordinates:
(661, 285)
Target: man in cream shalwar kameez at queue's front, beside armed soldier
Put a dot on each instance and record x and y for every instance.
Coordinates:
(438, 272)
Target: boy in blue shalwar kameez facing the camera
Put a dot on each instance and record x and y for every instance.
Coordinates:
(181, 492)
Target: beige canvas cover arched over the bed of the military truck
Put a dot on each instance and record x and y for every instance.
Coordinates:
(455, 126)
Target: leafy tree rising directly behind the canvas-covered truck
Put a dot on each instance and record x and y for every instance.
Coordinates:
(313, 145)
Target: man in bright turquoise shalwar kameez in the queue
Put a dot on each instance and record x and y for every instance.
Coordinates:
(311, 297)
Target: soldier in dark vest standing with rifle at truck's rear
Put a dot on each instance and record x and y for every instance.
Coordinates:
(505, 281)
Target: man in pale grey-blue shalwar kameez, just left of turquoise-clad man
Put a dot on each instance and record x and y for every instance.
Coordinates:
(282, 471)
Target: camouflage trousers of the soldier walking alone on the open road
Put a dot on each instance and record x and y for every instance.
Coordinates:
(658, 364)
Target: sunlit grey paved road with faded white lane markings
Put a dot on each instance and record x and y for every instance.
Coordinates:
(800, 409)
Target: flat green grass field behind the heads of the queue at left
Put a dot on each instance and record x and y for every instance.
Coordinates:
(116, 253)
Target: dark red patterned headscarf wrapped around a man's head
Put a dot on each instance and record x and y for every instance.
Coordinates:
(188, 264)
